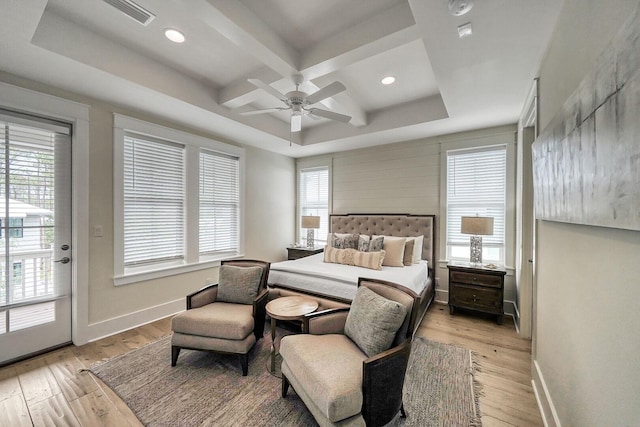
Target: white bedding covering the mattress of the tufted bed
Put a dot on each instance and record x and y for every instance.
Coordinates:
(314, 275)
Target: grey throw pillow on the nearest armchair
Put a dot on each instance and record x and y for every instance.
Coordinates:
(373, 321)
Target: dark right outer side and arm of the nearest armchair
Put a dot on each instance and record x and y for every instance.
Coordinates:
(382, 382)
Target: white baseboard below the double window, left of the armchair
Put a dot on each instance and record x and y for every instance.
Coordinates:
(131, 320)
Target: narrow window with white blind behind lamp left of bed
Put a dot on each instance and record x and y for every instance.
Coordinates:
(314, 200)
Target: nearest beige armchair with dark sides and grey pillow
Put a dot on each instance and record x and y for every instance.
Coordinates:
(348, 366)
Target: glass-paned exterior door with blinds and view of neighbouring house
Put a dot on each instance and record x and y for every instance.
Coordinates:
(35, 234)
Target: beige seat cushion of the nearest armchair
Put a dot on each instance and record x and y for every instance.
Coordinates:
(330, 369)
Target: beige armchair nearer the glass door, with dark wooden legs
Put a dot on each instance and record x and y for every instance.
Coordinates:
(227, 317)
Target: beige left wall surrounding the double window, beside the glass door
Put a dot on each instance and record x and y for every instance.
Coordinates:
(268, 223)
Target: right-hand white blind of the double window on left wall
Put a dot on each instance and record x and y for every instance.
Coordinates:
(219, 203)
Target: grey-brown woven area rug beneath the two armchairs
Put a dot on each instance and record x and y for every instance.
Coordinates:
(208, 389)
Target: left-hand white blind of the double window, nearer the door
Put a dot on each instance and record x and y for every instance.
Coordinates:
(154, 197)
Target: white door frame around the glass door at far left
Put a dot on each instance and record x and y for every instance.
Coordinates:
(15, 97)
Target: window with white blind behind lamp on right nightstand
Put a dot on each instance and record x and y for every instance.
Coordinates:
(476, 185)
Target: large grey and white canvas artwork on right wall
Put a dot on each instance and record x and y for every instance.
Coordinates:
(587, 161)
